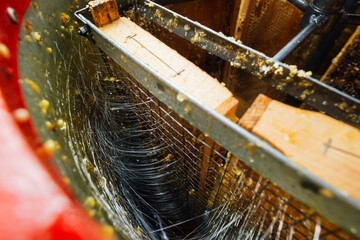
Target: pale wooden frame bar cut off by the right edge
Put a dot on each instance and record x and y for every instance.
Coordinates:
(324, 146)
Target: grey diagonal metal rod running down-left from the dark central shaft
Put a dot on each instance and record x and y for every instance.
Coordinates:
(296, 41)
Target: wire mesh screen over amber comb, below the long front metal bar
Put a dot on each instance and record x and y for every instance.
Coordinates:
(227, 196)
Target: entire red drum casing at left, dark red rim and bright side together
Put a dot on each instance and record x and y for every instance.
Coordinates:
(33, 202)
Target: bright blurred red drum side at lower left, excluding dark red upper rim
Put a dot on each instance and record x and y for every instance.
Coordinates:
(32, 205)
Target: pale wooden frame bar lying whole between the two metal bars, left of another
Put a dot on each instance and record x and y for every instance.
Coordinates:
(165, 61)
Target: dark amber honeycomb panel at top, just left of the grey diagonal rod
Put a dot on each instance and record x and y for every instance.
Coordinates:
(267, 25)
